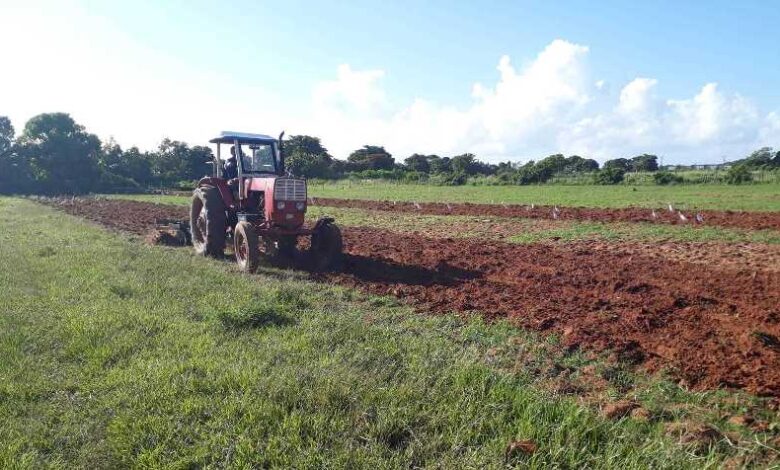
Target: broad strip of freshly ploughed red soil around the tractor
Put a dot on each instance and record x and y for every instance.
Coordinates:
(714, 325)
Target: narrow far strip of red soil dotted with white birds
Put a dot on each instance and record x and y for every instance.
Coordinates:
(747, 220)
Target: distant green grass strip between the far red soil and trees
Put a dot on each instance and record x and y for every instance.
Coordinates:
(759, 197)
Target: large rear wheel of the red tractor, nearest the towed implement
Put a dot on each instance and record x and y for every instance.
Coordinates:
(207, 222)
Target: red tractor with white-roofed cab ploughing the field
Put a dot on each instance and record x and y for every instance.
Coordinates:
(251, 200)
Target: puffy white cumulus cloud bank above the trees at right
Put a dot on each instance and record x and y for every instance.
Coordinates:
(551, 105)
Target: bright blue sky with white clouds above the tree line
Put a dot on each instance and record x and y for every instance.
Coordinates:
(693, 82)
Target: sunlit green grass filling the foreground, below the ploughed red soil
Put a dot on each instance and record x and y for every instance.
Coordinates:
(119, 354)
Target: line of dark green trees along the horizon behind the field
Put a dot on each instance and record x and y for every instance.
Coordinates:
(55, 155)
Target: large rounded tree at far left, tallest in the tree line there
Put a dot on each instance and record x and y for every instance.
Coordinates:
(63, 157)
